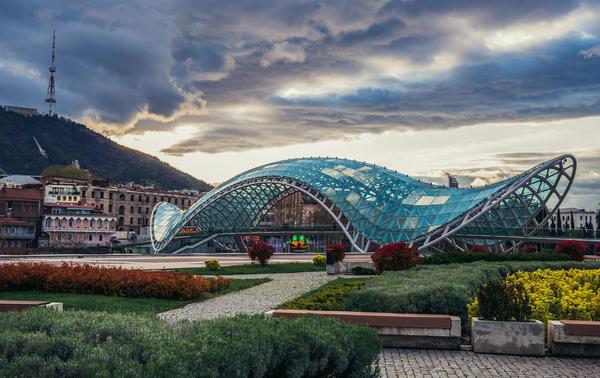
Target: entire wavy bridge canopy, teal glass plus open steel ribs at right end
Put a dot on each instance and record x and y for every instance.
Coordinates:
(373, 205)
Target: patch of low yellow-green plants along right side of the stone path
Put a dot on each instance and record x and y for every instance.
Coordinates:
(329, 297)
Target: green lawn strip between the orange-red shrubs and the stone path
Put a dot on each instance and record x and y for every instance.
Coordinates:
(142, 306)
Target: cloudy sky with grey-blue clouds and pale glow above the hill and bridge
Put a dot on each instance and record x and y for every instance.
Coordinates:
(482, 89)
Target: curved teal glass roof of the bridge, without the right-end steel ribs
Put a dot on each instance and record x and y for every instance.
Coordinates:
(384, 205)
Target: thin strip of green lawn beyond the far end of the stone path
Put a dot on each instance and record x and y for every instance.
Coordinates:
(256, 269)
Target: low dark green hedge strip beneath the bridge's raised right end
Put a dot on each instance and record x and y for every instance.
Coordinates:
(465, 257)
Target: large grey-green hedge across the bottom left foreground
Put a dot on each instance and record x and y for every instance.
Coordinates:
(88, 344)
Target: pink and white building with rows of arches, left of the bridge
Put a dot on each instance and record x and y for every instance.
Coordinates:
(77, 225)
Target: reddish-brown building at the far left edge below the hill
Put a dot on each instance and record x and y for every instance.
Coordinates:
(20, 210)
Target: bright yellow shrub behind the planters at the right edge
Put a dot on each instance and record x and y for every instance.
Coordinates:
(572, 294)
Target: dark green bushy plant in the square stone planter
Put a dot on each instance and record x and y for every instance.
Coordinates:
(502, 301)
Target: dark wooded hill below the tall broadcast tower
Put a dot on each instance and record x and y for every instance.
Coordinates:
(65, 141)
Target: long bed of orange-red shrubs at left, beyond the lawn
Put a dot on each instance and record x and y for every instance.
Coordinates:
(88, 279)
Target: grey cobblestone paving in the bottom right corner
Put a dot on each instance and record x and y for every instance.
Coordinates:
(440, 363)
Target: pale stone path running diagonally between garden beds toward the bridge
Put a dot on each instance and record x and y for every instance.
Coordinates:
(255, 300)
